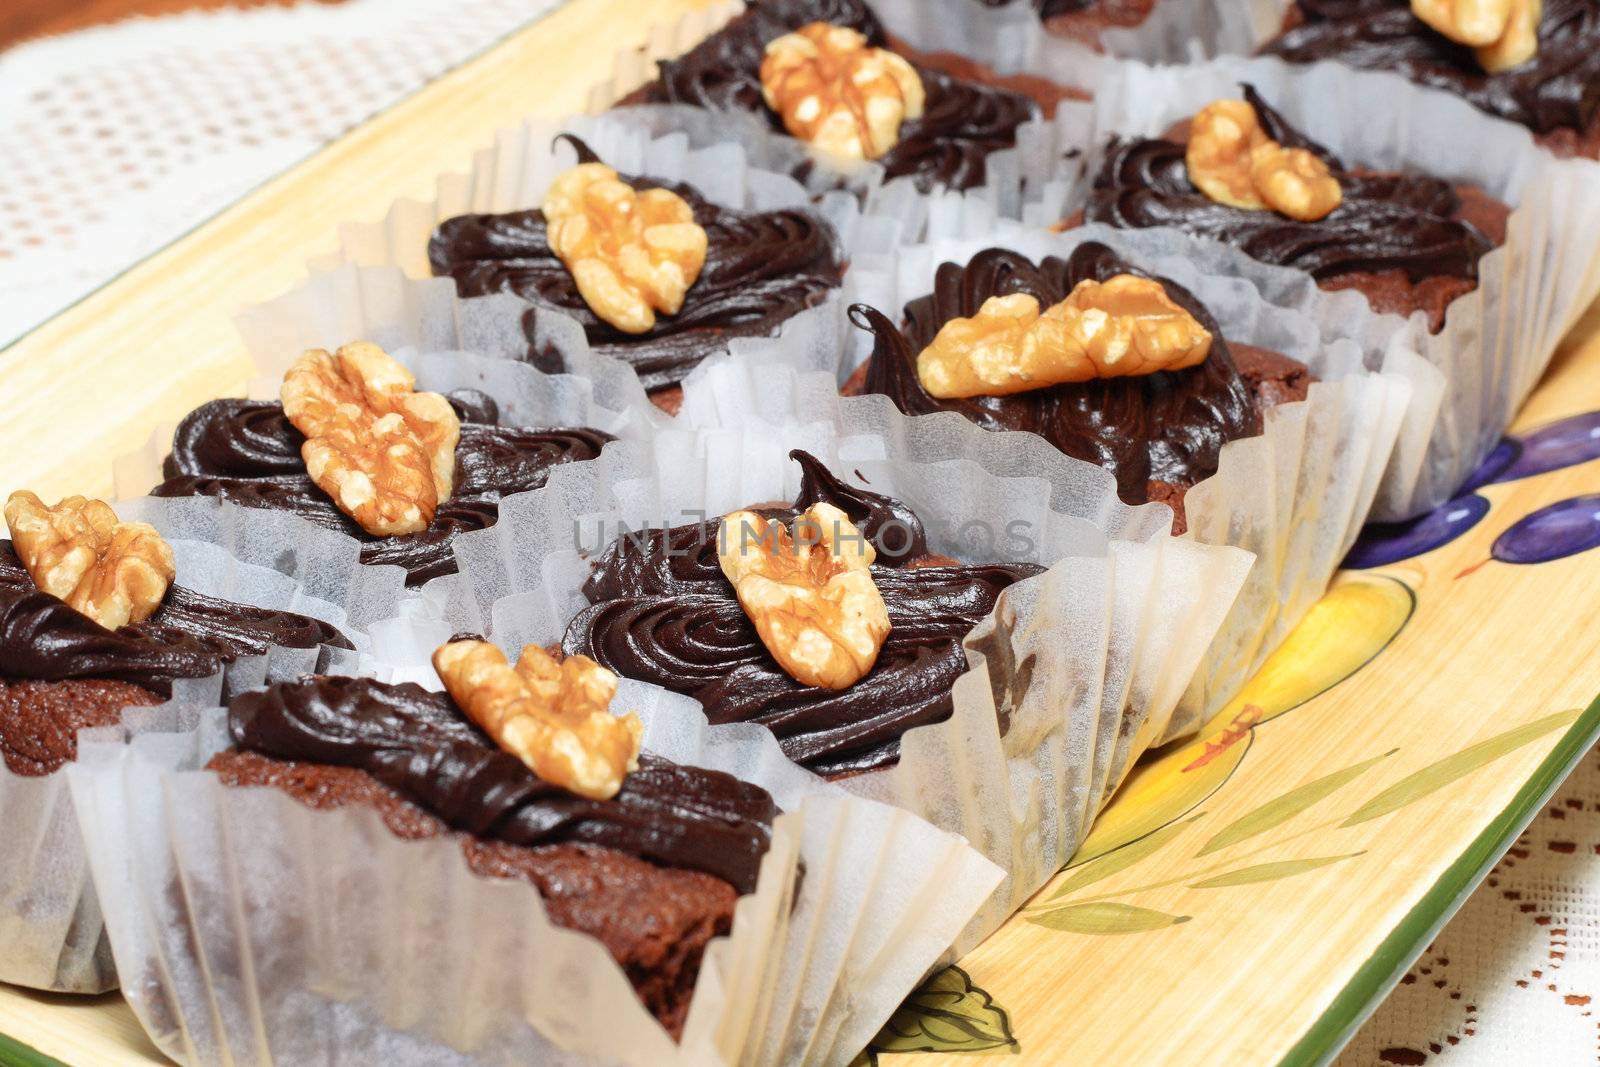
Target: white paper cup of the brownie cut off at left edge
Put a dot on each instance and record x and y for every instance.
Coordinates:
(50, 922)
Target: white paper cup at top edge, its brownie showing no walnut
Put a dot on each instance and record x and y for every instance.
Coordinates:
(1014, 39)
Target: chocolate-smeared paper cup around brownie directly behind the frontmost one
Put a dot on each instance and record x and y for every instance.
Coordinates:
(1086, 661)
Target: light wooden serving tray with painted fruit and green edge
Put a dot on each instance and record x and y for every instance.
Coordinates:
(1247, 898)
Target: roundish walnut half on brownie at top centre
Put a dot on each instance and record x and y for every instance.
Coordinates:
(839, 95)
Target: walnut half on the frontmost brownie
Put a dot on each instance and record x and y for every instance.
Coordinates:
(551, 716)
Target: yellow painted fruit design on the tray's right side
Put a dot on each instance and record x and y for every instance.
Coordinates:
(1342, 634)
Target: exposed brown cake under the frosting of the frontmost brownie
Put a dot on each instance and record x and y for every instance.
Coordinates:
(654, 921)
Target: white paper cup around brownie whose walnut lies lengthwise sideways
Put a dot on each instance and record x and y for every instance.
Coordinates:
(1295, 497)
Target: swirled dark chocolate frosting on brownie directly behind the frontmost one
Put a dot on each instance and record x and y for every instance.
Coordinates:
(663, 612)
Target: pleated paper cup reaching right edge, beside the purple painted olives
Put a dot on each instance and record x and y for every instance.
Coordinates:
(1532, 290)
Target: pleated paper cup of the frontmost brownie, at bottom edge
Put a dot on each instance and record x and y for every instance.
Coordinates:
(255, 930)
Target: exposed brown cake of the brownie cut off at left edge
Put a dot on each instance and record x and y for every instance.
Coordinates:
(41, 721)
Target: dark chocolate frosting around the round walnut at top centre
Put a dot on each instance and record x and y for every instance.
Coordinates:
(961, 126)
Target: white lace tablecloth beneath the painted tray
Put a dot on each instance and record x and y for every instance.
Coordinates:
(118, 140)
